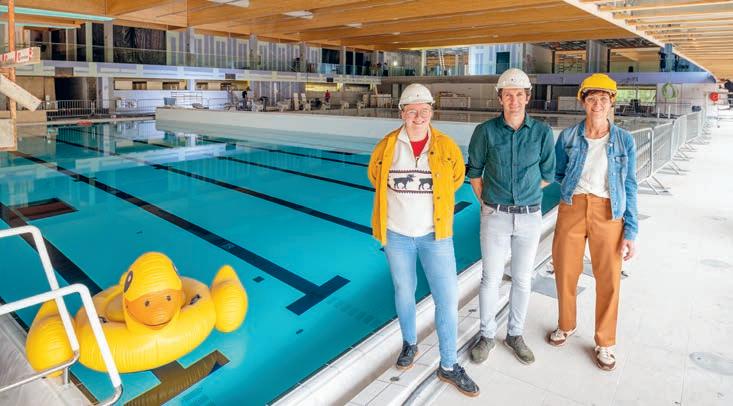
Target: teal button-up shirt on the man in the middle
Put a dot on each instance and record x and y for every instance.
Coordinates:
(512, 163)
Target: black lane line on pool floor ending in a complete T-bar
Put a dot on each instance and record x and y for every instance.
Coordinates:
(313, 293)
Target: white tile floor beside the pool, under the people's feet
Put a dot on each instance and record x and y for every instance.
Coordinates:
(677, 301)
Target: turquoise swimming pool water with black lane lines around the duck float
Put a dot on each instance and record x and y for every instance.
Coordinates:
(293, 221)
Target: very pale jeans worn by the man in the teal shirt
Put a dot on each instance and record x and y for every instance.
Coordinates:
(500, 234)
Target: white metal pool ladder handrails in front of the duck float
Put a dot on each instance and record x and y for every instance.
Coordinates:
(56, 293)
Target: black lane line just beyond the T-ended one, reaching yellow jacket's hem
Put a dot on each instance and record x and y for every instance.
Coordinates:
(303, 209)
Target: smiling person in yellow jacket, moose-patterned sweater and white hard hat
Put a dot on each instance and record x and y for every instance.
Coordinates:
(416, 170)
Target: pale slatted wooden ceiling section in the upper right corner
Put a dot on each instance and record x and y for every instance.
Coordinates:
(699, 30)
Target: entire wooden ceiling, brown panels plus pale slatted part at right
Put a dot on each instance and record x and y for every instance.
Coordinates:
(698, 29)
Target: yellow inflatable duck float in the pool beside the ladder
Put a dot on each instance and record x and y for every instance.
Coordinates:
(152, 317)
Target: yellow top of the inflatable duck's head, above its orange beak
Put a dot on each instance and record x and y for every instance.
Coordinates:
(151, 272)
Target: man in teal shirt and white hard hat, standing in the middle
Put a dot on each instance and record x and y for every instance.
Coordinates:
(511, 158)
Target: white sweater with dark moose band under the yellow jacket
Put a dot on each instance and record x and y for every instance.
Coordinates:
(410, 190)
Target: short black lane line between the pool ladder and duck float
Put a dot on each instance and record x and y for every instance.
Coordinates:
(61, 263)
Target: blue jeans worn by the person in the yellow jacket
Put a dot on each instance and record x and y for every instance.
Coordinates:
(439, 263)
